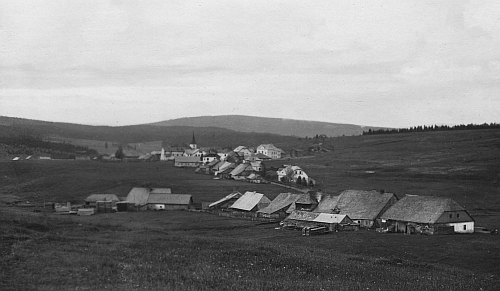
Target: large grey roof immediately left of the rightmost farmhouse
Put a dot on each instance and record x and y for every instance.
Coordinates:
(359, 204)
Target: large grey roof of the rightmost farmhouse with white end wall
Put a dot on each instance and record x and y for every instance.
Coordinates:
(420, 209)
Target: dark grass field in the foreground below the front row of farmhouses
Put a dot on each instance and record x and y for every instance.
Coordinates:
(182, 250)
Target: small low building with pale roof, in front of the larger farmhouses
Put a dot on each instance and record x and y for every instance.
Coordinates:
(300, 219)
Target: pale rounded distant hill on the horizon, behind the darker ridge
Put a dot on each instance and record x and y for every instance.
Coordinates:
(292, 127)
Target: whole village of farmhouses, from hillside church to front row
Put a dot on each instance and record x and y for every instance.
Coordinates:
(310, 210)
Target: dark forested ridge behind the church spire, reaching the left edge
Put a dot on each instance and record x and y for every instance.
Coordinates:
(206, 136)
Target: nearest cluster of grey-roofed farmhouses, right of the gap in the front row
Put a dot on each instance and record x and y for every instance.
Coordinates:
(352, 209)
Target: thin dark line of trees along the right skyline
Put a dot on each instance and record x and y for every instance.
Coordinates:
(425, 128)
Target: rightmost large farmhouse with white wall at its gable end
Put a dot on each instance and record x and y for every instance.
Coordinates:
(414, 213)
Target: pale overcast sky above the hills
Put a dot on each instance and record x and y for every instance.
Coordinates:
(378, 63)
